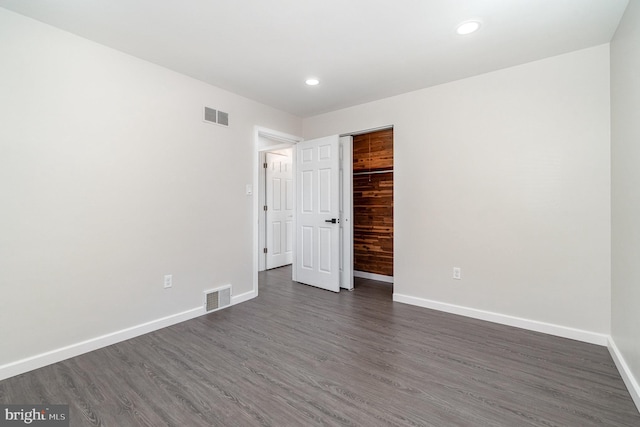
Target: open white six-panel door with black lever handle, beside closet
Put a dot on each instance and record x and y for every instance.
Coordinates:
(317, 213)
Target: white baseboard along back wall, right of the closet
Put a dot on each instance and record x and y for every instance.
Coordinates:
(518, 322)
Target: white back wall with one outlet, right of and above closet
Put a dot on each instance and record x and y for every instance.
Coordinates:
(507, 176)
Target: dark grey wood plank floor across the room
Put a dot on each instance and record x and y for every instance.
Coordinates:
(301, 356)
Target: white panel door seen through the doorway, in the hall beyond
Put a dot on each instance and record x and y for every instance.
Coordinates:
(280, 208)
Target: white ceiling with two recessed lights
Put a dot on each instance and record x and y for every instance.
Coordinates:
(361, 50)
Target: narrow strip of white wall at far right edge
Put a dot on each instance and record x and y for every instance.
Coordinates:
(625, 142)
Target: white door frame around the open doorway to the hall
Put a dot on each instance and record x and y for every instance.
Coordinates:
(265, 140)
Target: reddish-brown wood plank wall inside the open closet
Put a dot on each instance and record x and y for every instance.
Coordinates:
(373, 203)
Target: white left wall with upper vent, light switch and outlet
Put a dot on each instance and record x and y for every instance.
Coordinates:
(109, 179)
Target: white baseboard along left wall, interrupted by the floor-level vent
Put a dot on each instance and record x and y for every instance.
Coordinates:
(73, 350)
